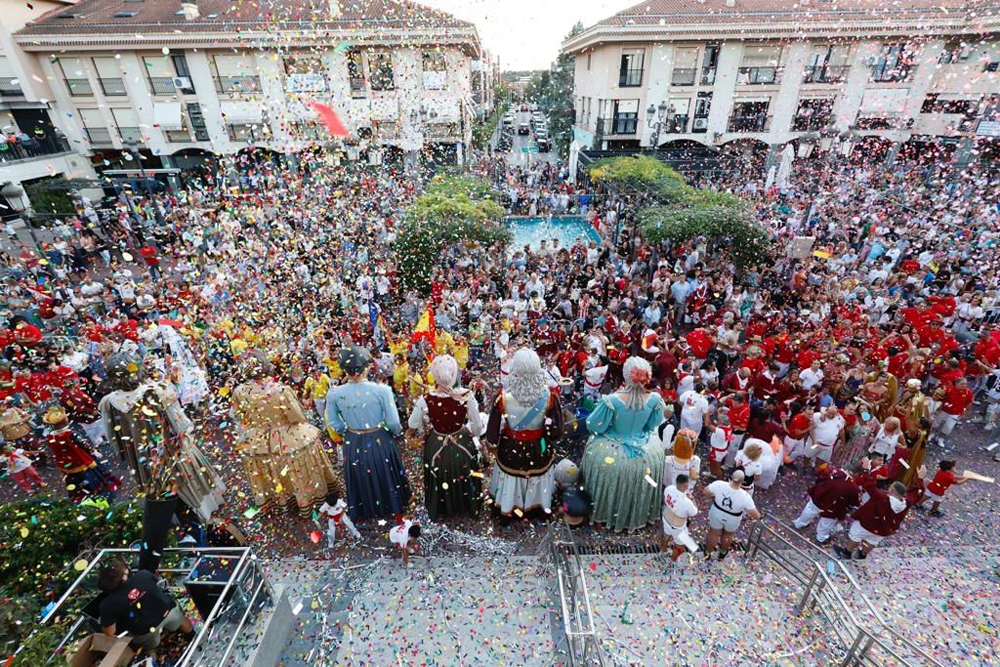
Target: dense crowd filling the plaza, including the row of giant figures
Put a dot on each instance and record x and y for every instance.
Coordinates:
(590, 379)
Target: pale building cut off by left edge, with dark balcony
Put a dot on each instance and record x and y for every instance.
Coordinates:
(33, 144)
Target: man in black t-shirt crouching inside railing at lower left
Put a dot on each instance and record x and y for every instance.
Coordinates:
(136, 605)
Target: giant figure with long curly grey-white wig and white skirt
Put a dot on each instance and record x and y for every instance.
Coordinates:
(526, 422)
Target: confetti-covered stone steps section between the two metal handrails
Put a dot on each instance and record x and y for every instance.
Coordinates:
(650, 611)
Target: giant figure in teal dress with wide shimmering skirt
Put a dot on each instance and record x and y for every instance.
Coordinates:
(622, 464)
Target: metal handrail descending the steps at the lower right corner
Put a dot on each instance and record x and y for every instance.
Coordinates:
(822, 587)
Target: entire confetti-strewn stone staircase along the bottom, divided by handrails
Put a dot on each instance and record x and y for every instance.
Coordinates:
(465, 609)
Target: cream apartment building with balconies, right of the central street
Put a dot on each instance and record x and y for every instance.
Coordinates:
(767, 72)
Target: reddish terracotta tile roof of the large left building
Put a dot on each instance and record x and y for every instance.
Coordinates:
(161, 16)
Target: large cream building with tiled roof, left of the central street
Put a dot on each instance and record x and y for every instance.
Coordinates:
(178, 82)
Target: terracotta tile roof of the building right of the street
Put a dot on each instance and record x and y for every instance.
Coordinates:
(664, 12)
